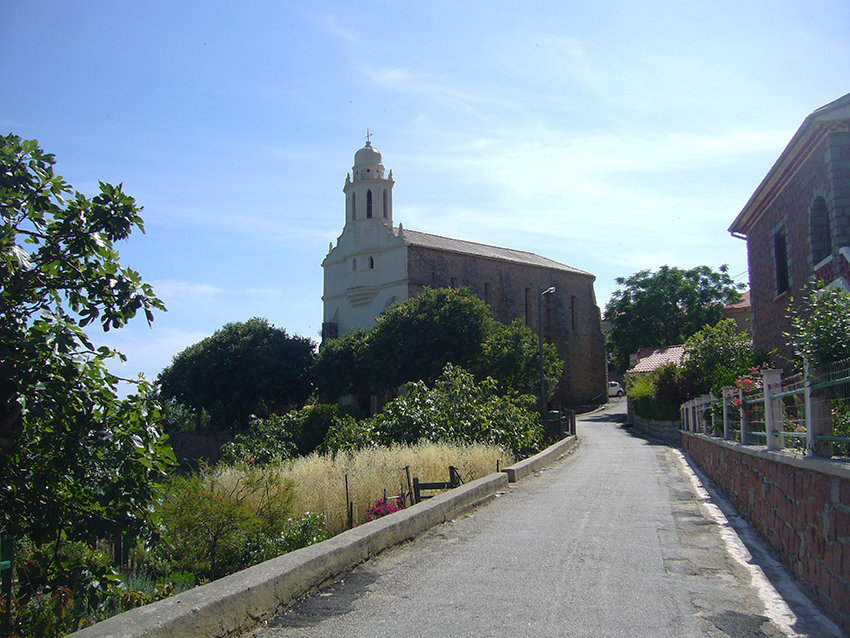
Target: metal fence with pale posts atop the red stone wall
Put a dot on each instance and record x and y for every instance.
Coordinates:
(808, 412)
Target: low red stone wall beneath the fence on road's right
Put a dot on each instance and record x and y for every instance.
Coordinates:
(804, 513)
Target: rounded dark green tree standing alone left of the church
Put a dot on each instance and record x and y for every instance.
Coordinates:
(244, 368)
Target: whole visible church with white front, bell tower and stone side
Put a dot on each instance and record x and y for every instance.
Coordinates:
(376, 263)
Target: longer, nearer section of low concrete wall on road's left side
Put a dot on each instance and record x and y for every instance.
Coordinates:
(237, 602)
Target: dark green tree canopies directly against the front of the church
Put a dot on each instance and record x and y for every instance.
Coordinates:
(415, 339)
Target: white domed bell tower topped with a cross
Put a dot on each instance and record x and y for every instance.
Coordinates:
(369, 196)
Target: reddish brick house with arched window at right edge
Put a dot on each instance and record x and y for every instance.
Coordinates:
(797, 225)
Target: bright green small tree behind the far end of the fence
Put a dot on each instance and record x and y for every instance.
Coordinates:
(715, 357)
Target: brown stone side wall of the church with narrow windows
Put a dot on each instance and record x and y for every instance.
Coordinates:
(578, 336)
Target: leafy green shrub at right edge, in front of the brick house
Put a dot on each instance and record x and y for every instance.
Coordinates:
(821, 327)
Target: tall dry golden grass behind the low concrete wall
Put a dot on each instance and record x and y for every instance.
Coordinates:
(319, 481)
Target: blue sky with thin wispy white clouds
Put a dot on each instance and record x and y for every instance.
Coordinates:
(612, 136)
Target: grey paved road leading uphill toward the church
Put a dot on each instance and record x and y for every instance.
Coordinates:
(618, 539)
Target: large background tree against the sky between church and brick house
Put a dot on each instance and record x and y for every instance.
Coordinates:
(666, 307)
